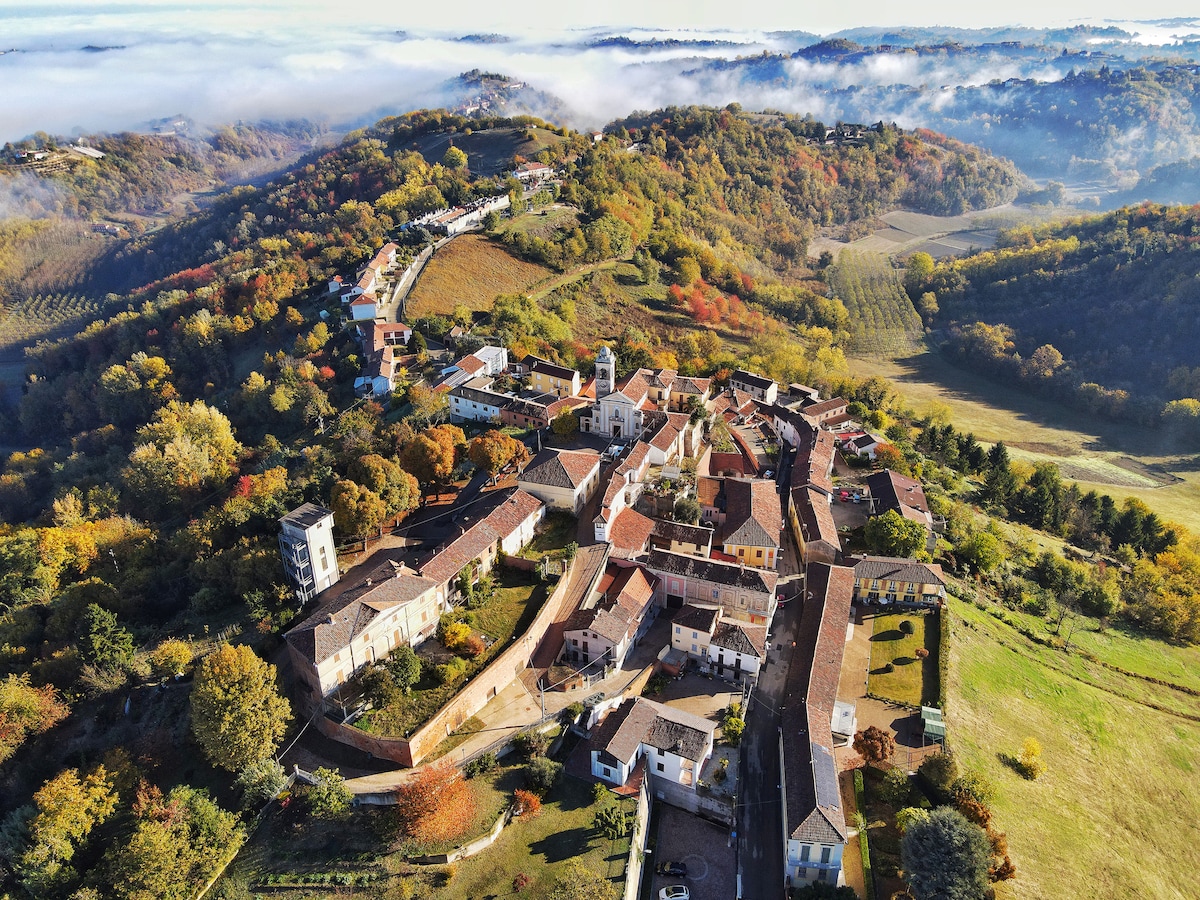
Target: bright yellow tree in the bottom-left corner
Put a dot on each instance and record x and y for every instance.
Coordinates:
(68, 808)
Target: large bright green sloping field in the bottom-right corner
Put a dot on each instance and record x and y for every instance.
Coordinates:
(1112, 817)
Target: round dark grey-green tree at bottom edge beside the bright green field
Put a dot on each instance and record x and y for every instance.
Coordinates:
(946, 856)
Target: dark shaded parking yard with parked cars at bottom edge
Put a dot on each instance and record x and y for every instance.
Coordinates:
(701, 847)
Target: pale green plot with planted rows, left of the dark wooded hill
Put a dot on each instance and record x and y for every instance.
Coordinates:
(883, 319)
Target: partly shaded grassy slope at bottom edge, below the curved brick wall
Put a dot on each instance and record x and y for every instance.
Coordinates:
(291, 844)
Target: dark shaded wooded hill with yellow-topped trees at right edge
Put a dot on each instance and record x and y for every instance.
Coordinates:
(1100, 311)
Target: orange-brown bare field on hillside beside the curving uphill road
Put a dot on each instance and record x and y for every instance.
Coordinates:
(471, 271)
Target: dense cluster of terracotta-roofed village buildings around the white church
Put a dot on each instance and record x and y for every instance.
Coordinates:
(699, 542)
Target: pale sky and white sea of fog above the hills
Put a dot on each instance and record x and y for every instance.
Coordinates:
(109, 67)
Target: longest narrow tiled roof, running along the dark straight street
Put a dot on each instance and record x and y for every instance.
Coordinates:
(814, 801)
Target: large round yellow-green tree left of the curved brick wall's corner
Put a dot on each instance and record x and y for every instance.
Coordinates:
(238, 713)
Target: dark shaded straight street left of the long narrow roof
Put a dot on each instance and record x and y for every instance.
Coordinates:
(760, 811)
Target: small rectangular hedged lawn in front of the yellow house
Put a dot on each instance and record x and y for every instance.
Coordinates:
(914, 681)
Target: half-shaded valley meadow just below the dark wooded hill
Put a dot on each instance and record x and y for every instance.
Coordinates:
(1120, 460)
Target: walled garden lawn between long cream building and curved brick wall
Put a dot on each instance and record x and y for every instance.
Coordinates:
(509, 614)
